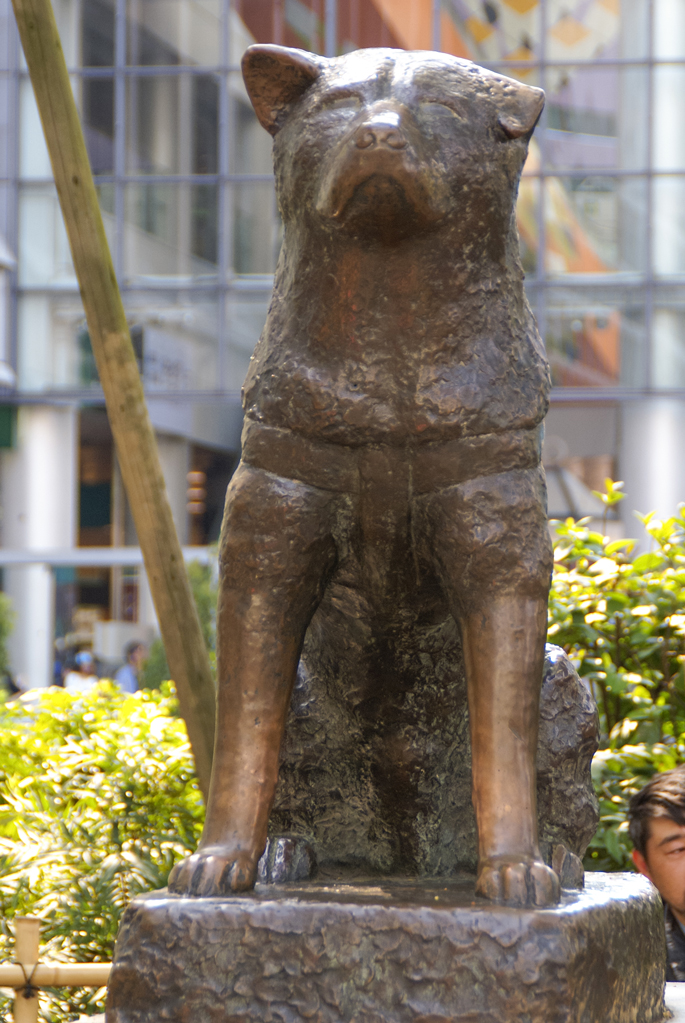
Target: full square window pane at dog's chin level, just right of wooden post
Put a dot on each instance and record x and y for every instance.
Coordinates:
(170, 231)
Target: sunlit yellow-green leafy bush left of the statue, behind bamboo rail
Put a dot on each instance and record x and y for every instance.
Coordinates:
(99, 799)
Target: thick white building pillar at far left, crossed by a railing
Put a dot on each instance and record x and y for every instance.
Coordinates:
(39, 487)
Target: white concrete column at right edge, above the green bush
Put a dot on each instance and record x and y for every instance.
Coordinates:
(652, 461)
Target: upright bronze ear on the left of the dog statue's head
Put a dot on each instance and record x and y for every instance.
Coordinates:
(276, 77)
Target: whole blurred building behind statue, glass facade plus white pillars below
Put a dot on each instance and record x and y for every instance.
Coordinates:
(186, 183)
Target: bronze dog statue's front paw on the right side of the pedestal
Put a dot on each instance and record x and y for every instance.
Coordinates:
(518, 882)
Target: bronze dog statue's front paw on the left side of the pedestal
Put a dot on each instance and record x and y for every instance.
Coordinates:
(214, 871)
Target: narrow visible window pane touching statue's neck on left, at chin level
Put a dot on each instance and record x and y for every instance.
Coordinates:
(257, 236)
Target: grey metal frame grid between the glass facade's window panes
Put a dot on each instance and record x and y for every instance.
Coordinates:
(225, 283)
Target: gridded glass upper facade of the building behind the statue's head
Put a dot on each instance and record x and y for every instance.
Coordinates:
(185, 176)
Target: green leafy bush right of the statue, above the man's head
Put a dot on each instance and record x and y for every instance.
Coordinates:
(622, 621)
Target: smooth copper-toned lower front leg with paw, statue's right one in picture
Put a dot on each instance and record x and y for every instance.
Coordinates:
(505, 644)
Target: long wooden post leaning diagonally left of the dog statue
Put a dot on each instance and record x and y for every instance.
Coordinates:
(136, 446)
